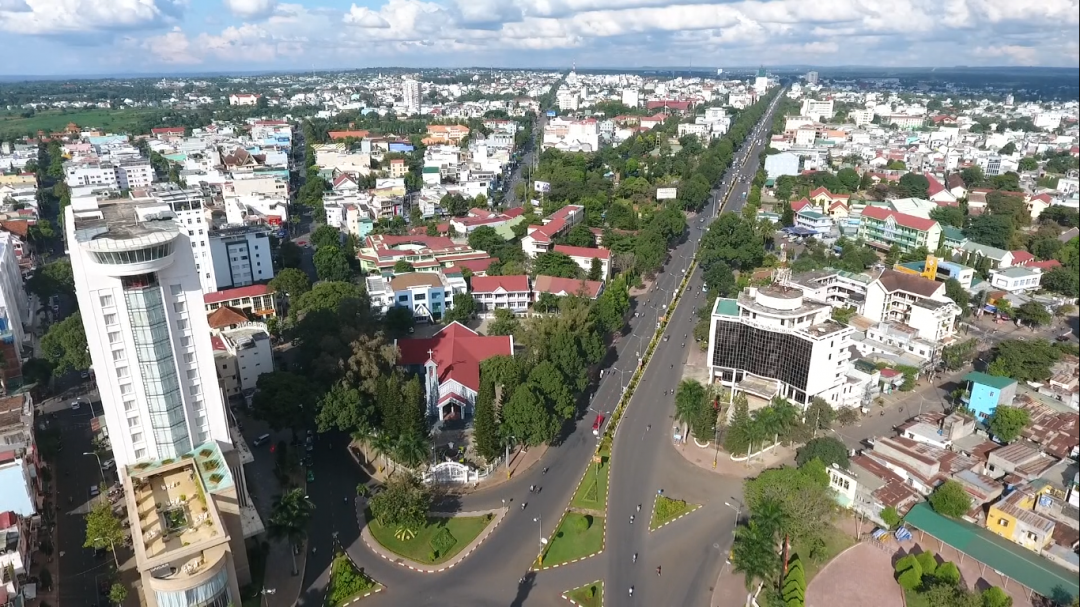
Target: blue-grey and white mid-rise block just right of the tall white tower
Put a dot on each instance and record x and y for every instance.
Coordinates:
(240, 257)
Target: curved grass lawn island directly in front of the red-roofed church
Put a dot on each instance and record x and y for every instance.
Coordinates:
(433, 545)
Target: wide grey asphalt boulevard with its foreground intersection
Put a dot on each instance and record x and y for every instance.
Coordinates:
(491, 577)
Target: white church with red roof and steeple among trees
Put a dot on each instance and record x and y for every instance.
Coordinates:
(450, 362)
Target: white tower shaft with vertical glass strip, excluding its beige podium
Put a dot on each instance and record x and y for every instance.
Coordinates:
(142, 305)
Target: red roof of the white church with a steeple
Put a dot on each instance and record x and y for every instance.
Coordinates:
(457, 352)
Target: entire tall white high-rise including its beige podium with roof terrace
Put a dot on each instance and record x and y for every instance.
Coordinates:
(142, 303)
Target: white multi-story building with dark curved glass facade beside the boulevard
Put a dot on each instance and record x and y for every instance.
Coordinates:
(773, 342)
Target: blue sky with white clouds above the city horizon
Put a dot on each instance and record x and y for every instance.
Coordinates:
(117, 37)
